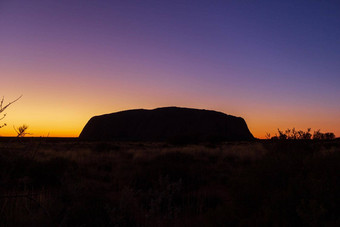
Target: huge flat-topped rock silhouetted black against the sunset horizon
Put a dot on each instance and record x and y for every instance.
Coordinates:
(166, 124)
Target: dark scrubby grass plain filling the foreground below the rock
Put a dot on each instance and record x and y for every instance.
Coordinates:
(50, 182)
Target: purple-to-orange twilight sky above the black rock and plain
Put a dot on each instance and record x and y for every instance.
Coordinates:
(274, 63)
